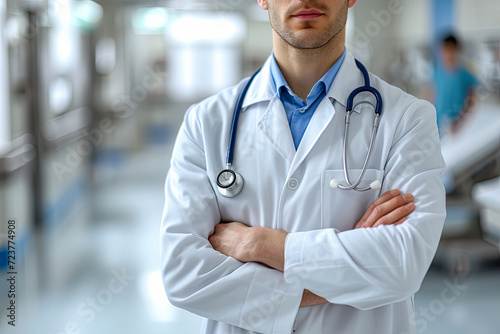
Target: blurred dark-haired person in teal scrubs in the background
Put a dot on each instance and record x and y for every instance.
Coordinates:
(453, 90)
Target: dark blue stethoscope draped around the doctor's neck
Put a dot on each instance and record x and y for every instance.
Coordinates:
(230, 183)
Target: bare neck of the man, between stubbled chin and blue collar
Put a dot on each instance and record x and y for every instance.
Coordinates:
(302, 68)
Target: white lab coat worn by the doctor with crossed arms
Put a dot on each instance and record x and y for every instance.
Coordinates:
(368, 275)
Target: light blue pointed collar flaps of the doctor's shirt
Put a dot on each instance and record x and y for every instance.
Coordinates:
(326, 80)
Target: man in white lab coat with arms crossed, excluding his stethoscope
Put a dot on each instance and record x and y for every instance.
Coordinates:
(290, 253)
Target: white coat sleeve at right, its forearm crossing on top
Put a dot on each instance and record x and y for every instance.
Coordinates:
(372, 267)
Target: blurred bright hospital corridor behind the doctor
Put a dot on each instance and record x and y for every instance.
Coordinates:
(92, 96)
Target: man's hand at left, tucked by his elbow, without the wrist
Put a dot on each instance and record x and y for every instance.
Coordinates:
(233, 239)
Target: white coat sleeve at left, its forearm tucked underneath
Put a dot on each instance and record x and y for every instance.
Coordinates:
(198, 278)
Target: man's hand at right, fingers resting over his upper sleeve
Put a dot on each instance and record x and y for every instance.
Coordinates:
(392, 208)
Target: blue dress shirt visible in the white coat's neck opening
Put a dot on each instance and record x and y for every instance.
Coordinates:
(298, 111)
